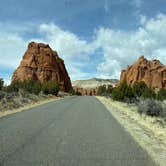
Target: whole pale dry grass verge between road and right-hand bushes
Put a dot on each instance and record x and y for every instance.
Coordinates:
(149, 132)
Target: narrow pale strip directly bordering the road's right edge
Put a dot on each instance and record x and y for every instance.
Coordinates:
(155, 150)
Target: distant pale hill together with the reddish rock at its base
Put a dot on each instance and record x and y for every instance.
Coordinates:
(90, 87)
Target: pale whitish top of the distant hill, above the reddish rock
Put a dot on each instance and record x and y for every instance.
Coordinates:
(94, 82)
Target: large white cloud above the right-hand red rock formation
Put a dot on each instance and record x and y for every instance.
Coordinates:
(122, 48)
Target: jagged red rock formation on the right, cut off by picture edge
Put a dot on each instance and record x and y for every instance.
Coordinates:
(153, 73)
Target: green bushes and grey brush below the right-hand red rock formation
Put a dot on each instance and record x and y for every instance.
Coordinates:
(147, 99)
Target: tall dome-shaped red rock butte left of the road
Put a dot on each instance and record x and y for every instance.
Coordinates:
(40, 62)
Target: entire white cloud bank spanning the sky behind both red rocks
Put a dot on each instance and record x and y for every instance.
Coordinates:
(118, 48)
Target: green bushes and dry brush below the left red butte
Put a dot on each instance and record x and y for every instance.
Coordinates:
(20, 93)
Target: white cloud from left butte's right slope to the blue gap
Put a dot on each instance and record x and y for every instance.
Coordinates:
(75, 51)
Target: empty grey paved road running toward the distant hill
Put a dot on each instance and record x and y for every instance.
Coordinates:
(76, 131)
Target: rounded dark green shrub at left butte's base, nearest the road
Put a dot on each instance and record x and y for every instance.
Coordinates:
(50, 87)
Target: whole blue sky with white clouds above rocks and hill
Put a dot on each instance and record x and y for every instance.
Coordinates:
(96, 38)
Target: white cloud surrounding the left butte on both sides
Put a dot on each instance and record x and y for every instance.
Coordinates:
(76, 52)
